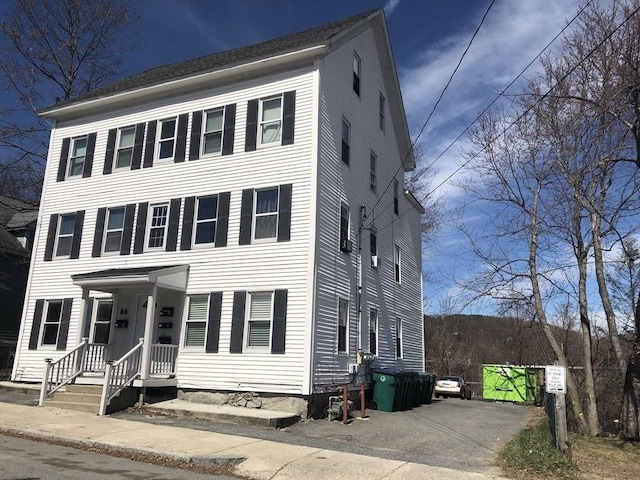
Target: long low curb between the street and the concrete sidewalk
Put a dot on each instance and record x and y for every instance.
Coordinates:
(84, 444)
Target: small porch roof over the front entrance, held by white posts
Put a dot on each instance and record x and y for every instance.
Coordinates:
(171, 277)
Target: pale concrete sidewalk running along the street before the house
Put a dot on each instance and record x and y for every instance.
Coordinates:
(253, 458)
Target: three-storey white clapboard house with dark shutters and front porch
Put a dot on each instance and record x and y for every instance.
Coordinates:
(236, 222)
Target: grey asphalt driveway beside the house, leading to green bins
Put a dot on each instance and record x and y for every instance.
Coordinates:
(460, 434)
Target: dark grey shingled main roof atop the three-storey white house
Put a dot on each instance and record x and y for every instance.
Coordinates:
(288, 43)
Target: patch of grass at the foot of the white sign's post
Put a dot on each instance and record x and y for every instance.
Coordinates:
(531, 453)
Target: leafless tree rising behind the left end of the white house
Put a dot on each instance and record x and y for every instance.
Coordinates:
(50, 51)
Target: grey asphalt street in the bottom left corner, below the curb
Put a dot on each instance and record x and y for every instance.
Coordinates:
(28, 460)
